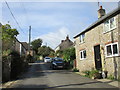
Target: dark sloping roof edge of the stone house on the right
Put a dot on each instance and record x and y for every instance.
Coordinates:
(101, 20)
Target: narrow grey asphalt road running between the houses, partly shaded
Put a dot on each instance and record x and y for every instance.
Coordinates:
(40, 75)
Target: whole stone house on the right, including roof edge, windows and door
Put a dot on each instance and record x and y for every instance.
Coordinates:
(98, 46)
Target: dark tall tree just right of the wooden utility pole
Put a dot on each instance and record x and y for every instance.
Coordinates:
(36, 44)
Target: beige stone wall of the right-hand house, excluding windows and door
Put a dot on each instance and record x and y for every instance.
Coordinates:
(94, 37)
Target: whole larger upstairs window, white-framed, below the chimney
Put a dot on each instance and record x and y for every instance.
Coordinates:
(109, 24)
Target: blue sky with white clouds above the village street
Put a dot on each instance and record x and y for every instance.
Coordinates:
(52, 21)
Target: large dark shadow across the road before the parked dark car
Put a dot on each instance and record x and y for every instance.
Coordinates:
(39, 69)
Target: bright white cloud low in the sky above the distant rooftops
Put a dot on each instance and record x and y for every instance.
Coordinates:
(54, 38)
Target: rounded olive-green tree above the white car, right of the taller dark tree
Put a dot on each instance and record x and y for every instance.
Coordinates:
(45, 51)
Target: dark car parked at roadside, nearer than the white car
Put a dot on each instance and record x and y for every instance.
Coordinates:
(57, 63)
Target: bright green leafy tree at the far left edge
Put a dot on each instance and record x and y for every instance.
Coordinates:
(8, 36)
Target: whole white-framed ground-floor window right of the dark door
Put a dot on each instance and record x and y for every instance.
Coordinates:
(112, 49)
